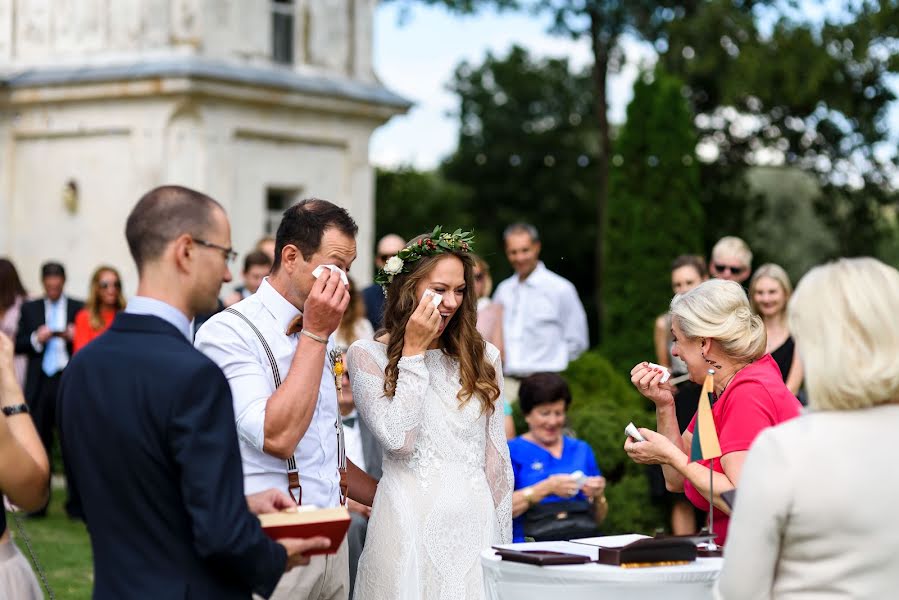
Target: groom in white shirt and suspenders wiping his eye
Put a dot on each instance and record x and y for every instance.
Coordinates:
(276, 349)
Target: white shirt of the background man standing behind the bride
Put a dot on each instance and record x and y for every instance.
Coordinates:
(544, 323)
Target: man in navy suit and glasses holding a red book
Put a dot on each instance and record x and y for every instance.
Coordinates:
(147, 428)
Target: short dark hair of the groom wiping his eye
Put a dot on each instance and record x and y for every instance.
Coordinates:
(304, 224)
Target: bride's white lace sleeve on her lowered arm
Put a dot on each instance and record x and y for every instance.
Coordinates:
(497, 464)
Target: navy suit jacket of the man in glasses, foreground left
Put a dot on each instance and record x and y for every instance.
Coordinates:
(150, 446)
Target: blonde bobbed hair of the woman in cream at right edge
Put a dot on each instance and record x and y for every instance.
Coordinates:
(843, 316)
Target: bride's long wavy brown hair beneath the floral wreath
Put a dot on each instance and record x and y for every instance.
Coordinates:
(460, 340)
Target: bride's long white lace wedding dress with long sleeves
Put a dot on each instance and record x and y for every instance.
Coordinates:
(446, 492)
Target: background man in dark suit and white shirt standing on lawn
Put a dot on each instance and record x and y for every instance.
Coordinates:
(46, 328)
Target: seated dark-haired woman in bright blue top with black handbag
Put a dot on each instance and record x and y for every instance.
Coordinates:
(546, 465)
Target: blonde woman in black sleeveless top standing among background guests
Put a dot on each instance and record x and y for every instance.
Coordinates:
(769, 292)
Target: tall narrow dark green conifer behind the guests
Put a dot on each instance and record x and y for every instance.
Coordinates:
(654, 214)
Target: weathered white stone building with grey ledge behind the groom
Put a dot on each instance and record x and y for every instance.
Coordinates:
(258, 103)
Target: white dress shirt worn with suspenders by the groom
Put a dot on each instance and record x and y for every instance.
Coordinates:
(236, 349)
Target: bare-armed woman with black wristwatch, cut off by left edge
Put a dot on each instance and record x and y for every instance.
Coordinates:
(24, 476)
